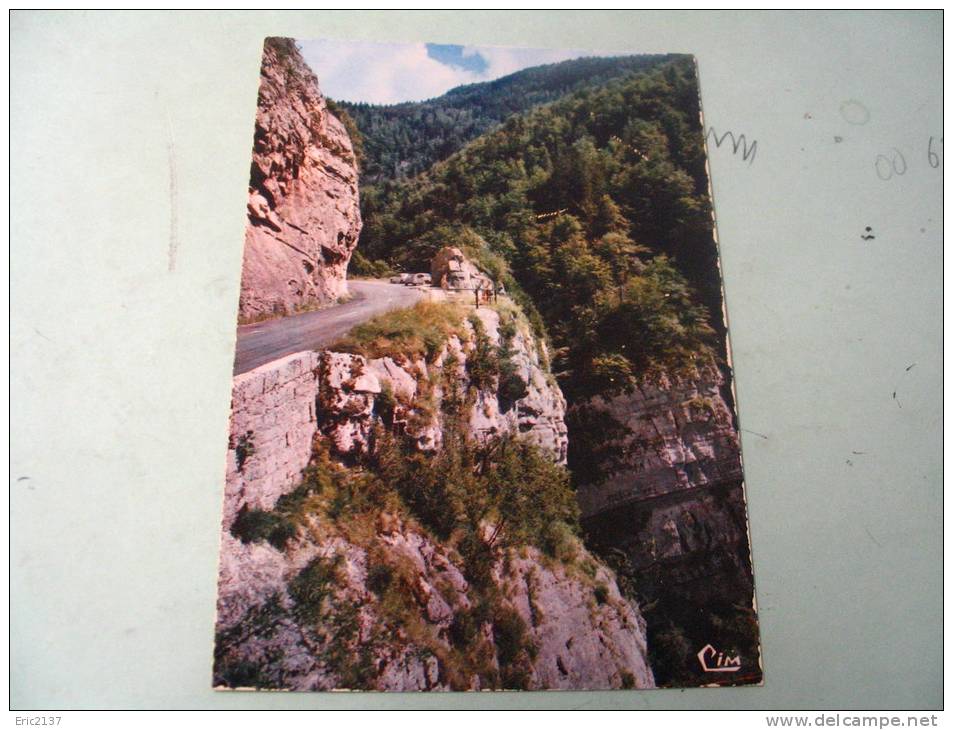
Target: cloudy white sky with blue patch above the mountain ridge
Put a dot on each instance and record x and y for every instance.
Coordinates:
(384, 73)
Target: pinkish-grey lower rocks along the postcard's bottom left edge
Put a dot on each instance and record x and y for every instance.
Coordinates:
(582, 638)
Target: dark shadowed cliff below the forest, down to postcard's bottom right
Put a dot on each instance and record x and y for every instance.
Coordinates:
(670, 516)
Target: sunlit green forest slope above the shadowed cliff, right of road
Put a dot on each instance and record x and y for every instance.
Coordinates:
(594, 209)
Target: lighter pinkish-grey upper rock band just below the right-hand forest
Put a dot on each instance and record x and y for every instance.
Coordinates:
(680, 436)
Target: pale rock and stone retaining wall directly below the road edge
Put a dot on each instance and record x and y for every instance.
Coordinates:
(279, 408)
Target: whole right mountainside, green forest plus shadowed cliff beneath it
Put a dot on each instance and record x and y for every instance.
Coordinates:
(594, 211)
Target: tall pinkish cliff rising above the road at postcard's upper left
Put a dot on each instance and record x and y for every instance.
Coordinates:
(303, 210)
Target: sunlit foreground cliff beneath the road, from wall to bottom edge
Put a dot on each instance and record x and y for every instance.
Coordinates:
(314, 596)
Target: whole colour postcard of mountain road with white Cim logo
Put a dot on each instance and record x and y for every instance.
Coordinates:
(483, 433)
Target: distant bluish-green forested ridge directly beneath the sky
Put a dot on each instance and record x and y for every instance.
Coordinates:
(403, 140)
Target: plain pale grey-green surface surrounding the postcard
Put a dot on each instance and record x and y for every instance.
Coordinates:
(131, 135)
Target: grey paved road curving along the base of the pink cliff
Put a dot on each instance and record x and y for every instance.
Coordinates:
(261, 343)
